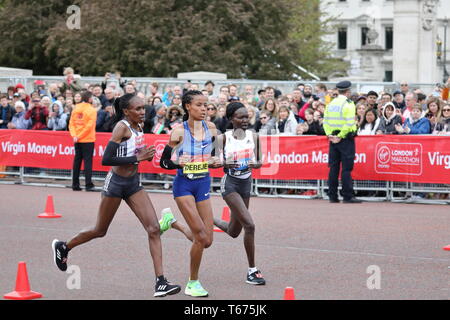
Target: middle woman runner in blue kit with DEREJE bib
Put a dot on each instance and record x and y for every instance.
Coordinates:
(192, 146)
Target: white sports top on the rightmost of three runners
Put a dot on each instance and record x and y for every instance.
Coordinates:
(240, 151)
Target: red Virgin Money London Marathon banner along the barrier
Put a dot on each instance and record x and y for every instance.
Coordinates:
(421, 159)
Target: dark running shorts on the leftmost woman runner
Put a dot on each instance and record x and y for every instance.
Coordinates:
(121, 187)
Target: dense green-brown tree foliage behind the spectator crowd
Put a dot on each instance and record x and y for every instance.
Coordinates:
(258, 39)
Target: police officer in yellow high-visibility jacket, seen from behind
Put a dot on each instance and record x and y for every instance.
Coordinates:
(340, 127)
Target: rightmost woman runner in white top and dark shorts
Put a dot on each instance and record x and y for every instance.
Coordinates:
(241, 150)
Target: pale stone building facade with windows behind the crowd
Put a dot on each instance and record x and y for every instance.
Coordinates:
(391, 40)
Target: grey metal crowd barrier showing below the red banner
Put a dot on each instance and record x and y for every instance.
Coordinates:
(404, 192)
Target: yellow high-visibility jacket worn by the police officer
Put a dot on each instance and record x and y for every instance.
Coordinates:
(340, 115)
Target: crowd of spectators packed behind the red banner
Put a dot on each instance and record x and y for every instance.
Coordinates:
(271, 112)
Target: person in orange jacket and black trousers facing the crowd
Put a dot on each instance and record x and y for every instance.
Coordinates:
(82, 129)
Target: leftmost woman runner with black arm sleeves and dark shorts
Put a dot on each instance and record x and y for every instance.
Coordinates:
(124, 152)
